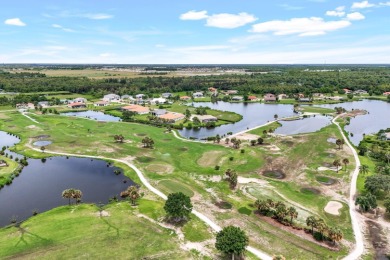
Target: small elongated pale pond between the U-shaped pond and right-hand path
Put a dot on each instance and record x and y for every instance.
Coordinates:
(304, 125)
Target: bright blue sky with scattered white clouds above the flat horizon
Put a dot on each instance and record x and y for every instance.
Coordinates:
(195, 31)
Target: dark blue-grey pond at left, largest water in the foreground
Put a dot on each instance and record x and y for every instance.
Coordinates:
(40, 184)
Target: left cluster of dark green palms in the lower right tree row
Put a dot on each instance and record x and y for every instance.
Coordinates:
(278, 209)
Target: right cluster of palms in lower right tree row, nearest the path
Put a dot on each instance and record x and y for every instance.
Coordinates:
(334, 234)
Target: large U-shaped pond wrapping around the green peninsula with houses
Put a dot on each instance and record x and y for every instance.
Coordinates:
(254, 114)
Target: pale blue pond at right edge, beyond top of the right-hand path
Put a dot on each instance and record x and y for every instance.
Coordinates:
(378, 118)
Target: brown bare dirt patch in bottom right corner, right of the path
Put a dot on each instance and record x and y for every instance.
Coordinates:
(378, 240)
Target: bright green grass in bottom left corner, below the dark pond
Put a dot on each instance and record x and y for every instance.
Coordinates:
(77, 231)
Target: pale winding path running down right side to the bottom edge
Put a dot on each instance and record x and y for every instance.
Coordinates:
(359, 243)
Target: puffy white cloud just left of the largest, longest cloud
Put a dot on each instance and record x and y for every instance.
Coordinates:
(230, 21)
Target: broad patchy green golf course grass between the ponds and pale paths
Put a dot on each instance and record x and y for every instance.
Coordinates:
(82, 136)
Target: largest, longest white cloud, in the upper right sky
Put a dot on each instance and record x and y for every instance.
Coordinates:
(302, 26)
